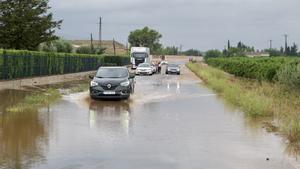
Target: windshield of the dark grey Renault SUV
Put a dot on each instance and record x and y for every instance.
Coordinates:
(112, 73)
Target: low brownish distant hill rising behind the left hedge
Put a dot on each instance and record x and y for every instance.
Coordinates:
(108, 44)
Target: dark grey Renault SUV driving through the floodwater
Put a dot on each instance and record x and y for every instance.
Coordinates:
(112, 83)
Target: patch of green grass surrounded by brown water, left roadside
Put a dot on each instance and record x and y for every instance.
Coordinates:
(35, 101)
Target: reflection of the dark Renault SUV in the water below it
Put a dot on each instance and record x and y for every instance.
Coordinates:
(110, 117)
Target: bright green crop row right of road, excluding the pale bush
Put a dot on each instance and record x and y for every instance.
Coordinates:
(255, 68)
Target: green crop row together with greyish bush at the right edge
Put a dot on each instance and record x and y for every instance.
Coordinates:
(283, 70)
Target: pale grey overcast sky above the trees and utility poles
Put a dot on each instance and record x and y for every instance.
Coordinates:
(200, 24)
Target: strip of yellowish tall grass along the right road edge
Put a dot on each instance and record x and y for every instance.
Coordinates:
(257, 99)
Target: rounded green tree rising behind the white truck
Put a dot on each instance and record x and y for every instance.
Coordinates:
(145, 37)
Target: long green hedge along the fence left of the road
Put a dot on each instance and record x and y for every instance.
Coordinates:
(20, 64)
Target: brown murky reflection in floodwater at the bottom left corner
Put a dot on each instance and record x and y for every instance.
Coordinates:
(23, 136)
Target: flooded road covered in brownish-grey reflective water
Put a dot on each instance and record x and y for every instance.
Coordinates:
(171, 122)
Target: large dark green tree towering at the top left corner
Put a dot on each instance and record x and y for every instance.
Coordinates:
(26, 24)
